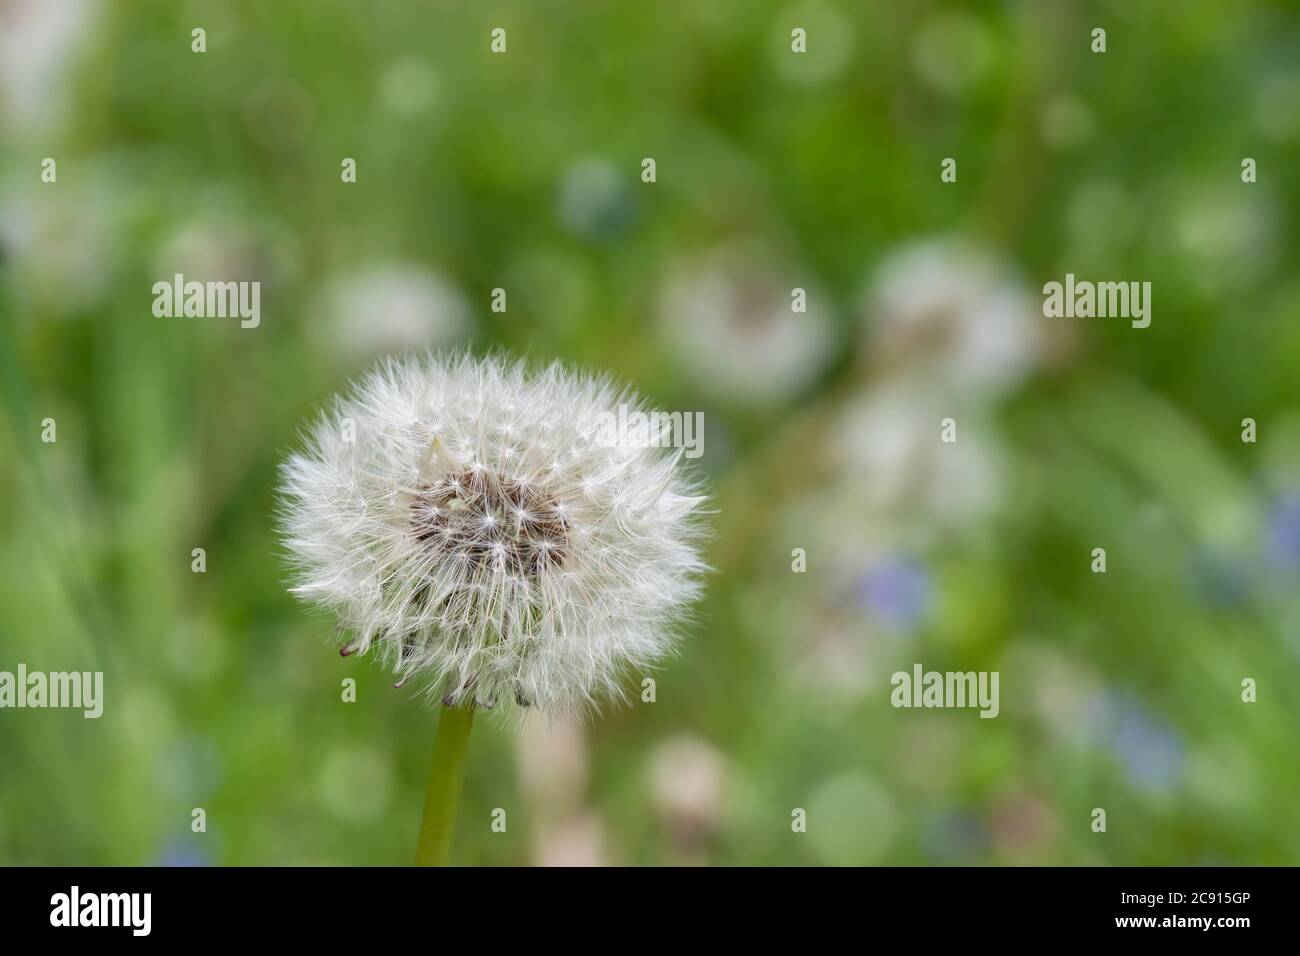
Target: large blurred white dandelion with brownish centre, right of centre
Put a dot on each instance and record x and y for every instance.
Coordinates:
(954, 314)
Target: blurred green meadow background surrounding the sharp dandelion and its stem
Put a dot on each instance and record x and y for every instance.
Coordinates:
(774, 171)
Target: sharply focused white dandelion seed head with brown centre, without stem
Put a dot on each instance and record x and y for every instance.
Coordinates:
(470, 524)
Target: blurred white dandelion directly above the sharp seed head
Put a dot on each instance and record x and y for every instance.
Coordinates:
(393, 308)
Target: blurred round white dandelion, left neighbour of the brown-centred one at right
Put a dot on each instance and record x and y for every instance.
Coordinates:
(731, 323)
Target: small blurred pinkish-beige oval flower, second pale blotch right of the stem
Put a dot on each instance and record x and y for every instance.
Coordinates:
(690, 789)
